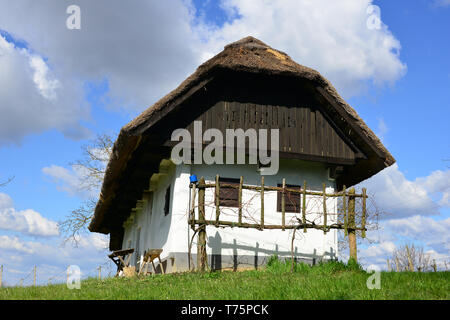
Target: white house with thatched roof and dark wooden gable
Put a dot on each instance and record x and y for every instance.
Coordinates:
(146, 198)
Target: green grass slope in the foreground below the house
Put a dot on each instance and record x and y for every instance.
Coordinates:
(332, 280)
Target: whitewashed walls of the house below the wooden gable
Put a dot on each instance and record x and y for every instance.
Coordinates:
(245, 247)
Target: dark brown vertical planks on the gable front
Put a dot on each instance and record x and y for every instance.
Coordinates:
(303, 130)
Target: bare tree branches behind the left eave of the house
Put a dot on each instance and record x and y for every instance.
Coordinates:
(92, 166)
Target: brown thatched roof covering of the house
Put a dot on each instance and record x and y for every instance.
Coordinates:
(246, 55)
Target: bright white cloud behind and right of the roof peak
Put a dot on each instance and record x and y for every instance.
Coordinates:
(329, 36)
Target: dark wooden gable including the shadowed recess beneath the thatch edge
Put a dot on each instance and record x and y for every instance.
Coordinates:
(306, 130)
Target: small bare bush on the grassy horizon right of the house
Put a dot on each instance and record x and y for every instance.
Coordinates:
(410, 257)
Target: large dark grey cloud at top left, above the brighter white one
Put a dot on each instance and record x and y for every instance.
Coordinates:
(143, 48)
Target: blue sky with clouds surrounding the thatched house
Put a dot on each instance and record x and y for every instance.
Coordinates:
(59, 88)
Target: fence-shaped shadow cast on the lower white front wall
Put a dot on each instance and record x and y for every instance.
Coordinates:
(219, 261)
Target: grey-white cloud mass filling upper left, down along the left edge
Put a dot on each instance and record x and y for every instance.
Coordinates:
(143, 49)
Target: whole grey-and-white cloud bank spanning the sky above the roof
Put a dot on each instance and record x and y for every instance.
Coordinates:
(146, 48)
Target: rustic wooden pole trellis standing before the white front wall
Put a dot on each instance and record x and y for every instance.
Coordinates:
(198, 222)
